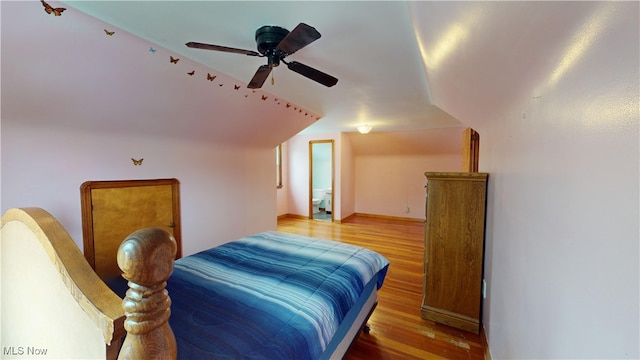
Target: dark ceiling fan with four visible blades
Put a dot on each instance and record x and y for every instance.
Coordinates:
(276, 43)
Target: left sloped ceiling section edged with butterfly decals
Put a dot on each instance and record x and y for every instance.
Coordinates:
(67, 71)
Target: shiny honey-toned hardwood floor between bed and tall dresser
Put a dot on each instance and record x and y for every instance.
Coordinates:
(397, 330)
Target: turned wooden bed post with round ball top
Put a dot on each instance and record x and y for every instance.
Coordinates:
(146, 259)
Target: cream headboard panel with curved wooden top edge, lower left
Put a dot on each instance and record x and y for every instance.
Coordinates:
(53, 302)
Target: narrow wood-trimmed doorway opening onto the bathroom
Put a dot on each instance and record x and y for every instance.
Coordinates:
(321, 180)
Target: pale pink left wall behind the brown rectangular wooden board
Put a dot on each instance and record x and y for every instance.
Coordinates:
(226, 192)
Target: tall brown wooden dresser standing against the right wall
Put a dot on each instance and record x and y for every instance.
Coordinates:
(454, 248)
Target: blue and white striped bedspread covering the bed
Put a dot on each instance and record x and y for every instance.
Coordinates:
(267, 296)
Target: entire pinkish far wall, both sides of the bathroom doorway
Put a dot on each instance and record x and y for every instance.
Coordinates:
(378, 174)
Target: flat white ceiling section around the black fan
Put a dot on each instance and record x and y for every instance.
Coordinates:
(369, 46)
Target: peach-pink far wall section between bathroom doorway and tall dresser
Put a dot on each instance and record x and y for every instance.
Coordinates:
(389, 168)
